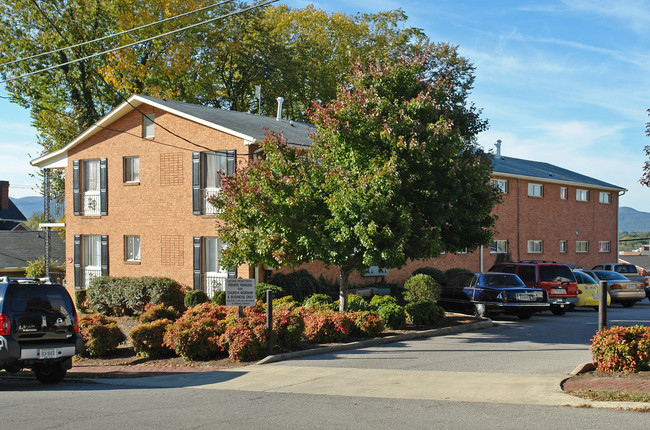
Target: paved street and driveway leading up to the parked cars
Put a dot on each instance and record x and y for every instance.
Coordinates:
(503, 377)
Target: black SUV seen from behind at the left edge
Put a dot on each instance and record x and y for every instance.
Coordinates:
(38, 328)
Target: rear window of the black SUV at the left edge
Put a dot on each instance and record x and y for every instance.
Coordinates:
(38, 298)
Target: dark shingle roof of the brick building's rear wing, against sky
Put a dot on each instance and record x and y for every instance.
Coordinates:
(545, 171)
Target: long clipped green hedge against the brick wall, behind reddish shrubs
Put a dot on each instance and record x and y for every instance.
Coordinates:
(128, 296)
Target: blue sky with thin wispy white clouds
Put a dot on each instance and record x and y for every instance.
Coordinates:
(560, 81)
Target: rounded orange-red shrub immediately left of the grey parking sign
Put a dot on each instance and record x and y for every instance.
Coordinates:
(195, 335)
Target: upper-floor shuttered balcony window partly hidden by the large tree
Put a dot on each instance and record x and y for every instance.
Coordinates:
(208, 171)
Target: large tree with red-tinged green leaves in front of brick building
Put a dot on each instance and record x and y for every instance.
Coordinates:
(392, 175)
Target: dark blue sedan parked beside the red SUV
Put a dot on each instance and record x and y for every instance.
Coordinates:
(492, 293)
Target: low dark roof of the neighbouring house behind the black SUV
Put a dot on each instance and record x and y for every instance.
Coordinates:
(19, 247)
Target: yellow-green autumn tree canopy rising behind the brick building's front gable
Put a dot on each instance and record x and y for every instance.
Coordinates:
(299, 54)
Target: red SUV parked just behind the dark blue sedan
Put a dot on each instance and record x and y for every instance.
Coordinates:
(556, 278)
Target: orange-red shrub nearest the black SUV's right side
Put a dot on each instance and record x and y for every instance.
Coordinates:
(100, 334)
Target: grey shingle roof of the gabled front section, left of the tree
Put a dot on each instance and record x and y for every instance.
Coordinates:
(249, 124)
